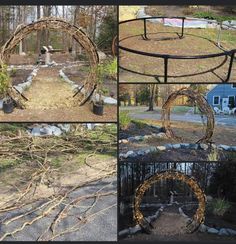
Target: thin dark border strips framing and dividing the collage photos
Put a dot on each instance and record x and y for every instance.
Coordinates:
(118, 3)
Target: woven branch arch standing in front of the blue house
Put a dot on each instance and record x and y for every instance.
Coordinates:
(202, 105)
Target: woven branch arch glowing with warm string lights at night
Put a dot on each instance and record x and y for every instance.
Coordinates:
(199, 215)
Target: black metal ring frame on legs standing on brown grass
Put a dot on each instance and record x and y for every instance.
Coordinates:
(166, 57)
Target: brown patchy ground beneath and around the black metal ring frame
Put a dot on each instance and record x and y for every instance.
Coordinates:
(193, 43)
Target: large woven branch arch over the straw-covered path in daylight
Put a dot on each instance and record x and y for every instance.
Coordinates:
(61, 25)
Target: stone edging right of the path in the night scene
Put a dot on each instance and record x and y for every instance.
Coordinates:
(206, 229)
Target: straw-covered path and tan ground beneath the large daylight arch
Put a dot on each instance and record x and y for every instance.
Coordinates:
(51, 99)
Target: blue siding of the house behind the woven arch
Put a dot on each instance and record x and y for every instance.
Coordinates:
(222, 90)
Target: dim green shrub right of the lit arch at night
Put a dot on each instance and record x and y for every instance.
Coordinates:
(219, 206)
